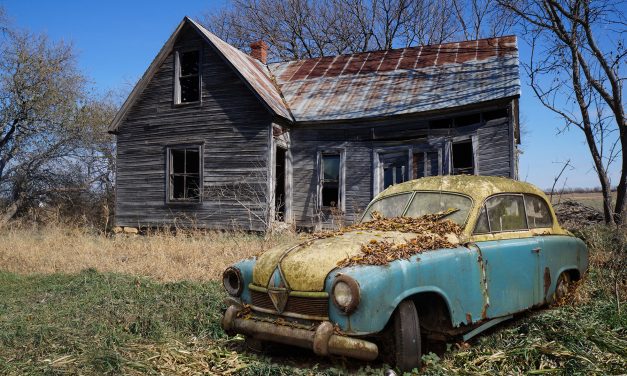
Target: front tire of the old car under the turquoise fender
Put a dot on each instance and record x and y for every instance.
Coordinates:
(407, 339)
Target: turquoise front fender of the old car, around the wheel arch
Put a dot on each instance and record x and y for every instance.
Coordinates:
(454, 274)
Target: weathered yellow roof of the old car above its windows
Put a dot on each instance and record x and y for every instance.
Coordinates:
(477, 187)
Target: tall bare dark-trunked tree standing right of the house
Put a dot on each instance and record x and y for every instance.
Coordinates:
(580, 79)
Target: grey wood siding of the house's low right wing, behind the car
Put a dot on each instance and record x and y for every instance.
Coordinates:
(361, 141)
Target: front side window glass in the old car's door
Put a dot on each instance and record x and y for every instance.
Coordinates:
(506, 213)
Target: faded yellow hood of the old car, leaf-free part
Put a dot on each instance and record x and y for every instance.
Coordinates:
(305, 264)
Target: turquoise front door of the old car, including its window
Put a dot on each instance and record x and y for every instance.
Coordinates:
(511, 259)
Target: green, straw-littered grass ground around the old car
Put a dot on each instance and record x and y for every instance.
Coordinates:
(106, 322)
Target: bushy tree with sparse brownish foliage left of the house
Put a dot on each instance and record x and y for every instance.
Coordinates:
(51, 130)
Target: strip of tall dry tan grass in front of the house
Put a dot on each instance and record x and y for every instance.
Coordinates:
(163, 256)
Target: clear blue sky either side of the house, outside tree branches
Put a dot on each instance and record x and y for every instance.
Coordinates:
(116, 41)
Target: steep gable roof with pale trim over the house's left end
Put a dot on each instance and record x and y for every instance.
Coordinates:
(250, 70)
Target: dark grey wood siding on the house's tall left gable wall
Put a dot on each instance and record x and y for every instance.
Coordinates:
(233, 128)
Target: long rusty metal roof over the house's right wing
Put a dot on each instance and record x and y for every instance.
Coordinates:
(399, 81)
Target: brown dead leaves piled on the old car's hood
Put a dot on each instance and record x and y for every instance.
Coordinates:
(432, 232)
